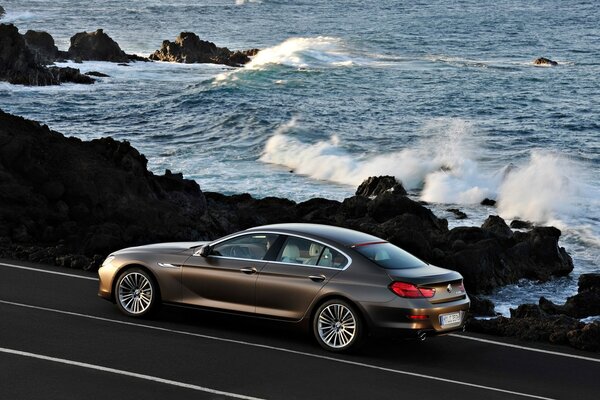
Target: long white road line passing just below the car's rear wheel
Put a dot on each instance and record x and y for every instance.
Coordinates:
(263, 346)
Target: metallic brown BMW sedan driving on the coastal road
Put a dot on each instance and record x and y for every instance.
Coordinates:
(340, 283)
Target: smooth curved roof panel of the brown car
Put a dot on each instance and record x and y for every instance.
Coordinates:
(343, 236)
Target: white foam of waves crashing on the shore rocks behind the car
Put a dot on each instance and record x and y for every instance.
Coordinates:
(445, 167)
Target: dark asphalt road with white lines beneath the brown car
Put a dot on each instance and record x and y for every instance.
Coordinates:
(58, 340)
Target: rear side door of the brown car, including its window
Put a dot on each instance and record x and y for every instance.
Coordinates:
(287, 286)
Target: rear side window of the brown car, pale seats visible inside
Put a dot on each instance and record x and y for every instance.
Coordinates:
(306, 252)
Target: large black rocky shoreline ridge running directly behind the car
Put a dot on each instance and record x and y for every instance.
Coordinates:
(98, 196)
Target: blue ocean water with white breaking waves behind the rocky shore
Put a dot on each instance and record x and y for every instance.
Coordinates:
(441, 94)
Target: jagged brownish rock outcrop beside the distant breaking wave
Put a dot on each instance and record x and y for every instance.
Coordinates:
(189, 48)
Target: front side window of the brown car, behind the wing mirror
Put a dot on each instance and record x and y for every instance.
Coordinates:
(251, 247)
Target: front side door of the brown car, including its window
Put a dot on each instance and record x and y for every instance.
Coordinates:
(226, 278)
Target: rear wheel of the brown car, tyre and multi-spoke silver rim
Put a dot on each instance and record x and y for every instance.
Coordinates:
(337, 326)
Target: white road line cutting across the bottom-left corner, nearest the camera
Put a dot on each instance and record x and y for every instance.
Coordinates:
(127, 373)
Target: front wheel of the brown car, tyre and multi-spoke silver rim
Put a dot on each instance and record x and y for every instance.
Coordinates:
(136, 293)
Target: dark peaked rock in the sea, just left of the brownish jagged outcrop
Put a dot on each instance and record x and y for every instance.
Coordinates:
(96, 46)
